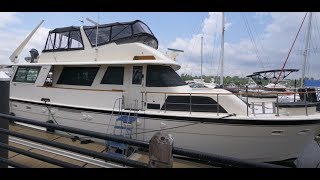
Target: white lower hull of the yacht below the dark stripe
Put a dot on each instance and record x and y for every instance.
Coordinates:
(254, 139)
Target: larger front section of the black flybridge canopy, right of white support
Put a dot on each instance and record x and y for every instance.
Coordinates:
(127, 32)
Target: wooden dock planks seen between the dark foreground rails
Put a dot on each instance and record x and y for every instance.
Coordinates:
(77, 159)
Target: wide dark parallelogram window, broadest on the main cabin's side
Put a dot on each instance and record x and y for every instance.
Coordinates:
(78, 76)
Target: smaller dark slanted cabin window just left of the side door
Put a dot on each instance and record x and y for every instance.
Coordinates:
(113, 75)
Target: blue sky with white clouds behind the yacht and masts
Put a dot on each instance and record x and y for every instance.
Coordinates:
(253, 41)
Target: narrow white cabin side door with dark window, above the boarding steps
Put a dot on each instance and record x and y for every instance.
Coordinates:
(136, 87)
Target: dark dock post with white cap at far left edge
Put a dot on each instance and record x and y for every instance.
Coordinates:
(4, 109)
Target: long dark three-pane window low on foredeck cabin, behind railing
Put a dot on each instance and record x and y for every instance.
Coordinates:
(198, 104)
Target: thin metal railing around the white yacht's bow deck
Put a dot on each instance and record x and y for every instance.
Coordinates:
(267, 106)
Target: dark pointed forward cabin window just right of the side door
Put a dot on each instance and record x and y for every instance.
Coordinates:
(162, 76)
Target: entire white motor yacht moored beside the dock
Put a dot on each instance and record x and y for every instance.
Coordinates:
(116, 81)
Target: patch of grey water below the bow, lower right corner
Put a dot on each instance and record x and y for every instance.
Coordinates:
(310, 158)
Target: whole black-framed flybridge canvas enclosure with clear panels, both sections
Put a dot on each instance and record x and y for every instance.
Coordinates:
(69, 38)
